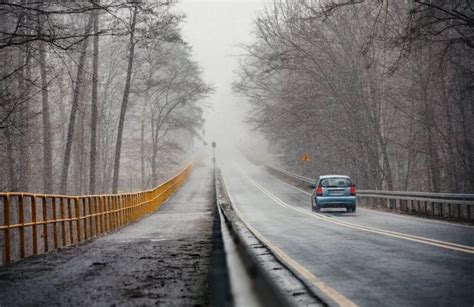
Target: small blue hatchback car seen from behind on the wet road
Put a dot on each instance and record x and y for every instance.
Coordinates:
(333, 191)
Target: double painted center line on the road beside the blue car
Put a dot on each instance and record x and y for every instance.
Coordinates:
(438, 243)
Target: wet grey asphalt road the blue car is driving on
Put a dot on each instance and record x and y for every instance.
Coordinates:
(366, 267)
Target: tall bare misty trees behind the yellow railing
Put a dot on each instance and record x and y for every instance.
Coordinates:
(96, 96)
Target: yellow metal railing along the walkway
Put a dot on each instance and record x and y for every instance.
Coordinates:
(32, 224)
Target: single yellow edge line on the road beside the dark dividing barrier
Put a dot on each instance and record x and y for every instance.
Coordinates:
(340, 299)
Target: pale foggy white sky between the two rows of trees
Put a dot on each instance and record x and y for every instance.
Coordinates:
(214, 30)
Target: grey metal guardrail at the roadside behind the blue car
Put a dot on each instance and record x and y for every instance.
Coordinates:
(451, 205)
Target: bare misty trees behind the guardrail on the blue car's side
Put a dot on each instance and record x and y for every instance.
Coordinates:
(381, 90)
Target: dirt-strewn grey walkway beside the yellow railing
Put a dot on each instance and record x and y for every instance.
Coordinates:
(162, 259)
